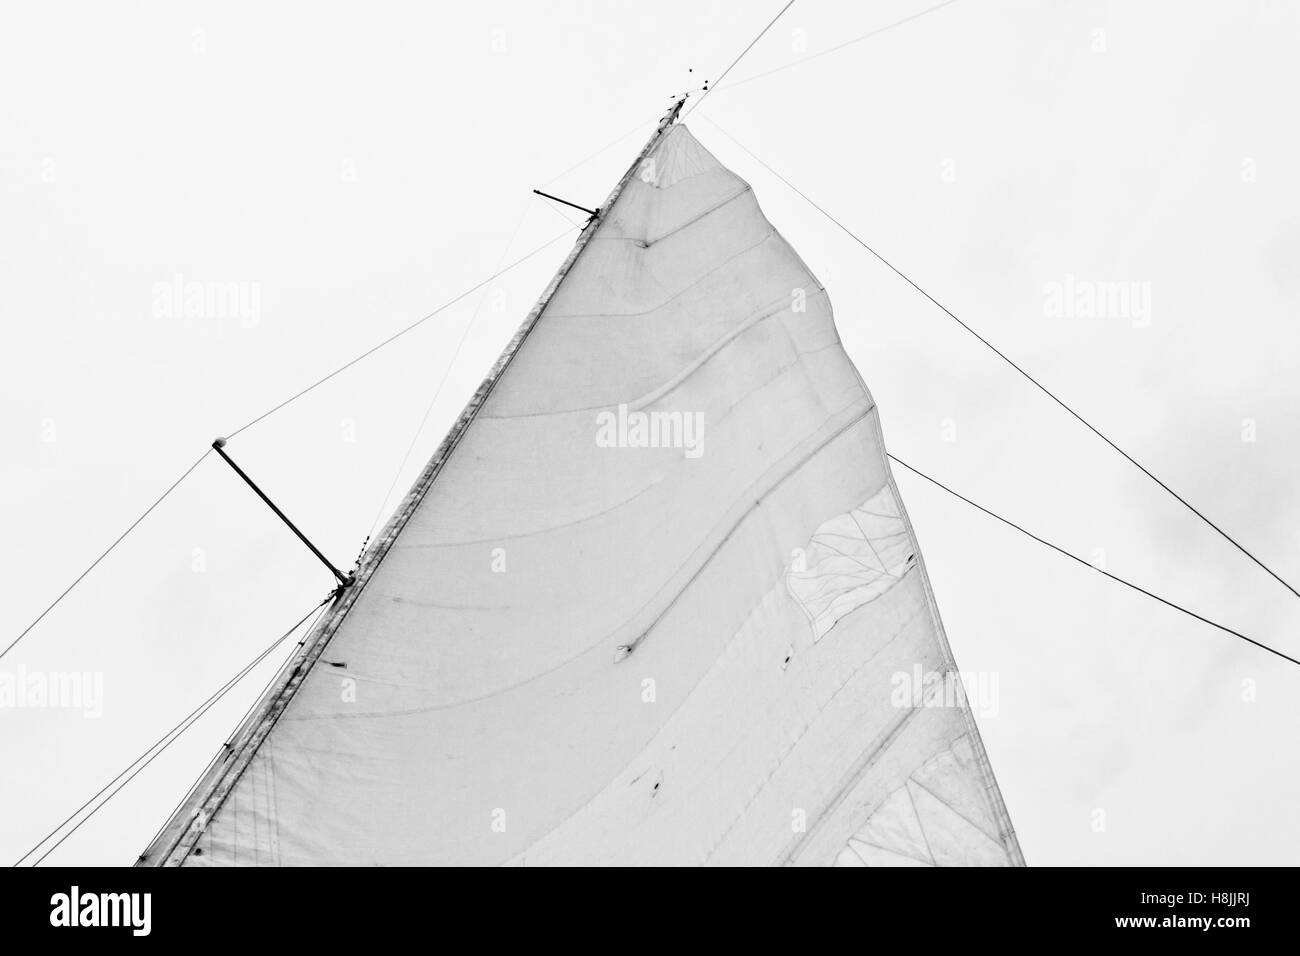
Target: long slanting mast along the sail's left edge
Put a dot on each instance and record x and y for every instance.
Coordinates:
(187, 827)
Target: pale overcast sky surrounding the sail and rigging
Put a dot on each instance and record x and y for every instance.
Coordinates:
(216, 142)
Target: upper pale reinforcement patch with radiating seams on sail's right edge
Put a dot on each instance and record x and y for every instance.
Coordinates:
(851, 561)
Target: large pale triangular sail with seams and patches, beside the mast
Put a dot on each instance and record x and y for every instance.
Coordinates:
(651, 604)
